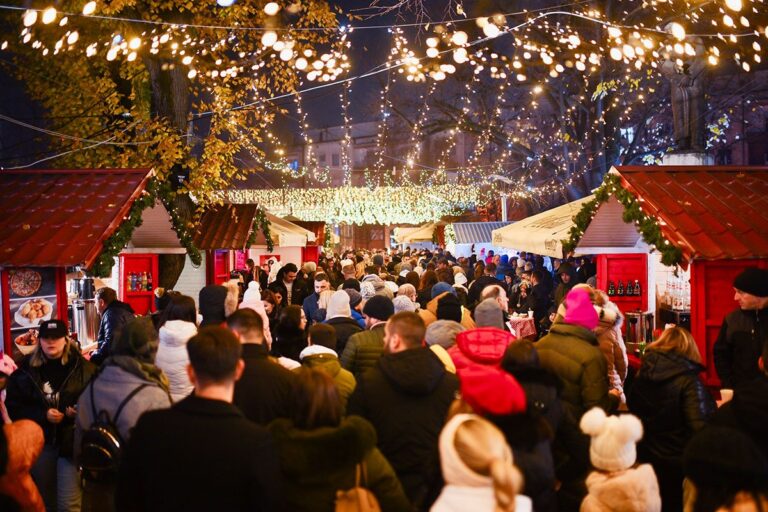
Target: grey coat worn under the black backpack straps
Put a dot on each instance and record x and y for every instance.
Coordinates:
(113, 384)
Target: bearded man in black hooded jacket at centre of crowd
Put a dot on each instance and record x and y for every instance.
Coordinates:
(406, 397)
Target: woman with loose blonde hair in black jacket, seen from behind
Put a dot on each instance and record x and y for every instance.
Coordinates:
(672, 402)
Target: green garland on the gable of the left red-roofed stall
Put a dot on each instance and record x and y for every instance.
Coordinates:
(112, 246)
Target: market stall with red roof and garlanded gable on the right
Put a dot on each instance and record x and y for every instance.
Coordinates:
(707, 223)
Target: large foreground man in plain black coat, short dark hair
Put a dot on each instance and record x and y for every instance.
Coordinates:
(201, 454)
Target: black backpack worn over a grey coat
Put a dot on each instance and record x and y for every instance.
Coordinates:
(101, 445)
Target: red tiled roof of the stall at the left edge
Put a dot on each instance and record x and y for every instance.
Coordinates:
(57, 218)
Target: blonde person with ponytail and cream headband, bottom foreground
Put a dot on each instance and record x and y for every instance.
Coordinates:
(477, 468)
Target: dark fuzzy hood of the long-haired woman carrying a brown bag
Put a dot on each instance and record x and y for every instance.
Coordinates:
(322, 449)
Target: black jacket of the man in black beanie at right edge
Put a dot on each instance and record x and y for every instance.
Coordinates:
(739, 346)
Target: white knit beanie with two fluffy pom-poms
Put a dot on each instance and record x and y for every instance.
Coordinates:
(613, 439)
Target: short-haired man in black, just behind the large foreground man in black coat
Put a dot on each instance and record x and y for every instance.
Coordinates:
(265, 391)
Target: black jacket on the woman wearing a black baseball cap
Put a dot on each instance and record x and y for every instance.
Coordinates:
(26, 397)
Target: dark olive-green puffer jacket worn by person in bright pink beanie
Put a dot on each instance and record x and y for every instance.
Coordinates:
(572, 354)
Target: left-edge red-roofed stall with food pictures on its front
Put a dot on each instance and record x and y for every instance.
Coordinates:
(53, 220)
